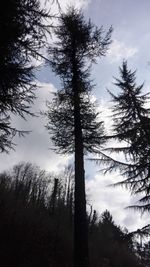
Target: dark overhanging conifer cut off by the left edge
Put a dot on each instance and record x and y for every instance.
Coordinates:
(23, 29)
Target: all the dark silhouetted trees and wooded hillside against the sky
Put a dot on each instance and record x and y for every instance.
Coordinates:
(45, 218)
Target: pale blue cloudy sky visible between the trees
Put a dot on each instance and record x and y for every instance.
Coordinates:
(131, 41)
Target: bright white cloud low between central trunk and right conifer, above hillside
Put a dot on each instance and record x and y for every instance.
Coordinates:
(103, 197)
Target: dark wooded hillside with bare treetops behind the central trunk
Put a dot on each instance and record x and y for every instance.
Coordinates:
(36, 225)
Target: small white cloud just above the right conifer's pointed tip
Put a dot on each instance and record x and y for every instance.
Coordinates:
(119, 50)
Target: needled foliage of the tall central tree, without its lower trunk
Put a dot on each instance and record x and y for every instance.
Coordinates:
(77, 46)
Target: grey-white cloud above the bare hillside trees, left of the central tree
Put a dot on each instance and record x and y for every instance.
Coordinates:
(34, 147)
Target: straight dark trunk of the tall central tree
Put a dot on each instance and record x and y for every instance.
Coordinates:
(81, 256)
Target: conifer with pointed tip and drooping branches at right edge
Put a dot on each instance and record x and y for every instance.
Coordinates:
(131, 128)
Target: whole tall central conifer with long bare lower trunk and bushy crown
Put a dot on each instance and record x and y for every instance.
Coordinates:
(72, 119)
